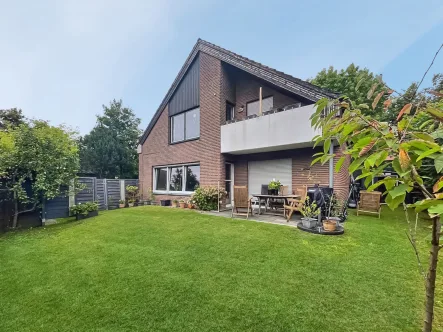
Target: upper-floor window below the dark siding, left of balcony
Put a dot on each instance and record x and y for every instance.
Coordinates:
(185, 126)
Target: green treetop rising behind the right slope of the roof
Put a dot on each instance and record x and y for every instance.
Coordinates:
(359, 85)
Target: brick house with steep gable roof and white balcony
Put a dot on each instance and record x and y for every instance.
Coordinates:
(228, 120)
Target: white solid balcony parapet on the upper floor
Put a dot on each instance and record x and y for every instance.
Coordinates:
(287, 128)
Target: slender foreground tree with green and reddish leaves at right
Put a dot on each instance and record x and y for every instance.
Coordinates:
(369, 143)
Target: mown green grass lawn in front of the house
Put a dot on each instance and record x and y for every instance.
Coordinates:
(158, 269)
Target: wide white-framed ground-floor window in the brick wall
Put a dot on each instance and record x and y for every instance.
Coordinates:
(176, 179)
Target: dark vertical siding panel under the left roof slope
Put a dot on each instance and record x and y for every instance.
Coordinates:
(187, 95)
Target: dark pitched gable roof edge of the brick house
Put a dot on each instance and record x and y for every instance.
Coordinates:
(273, 76)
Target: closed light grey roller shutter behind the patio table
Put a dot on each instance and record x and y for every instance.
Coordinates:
(262, 172)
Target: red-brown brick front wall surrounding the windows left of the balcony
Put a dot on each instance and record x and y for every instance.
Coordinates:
(157, 151)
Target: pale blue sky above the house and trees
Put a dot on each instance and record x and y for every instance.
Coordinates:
(61, 60)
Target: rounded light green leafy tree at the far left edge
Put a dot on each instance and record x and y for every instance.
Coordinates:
(40, 155)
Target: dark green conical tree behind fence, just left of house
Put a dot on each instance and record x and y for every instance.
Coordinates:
(109, 150)
